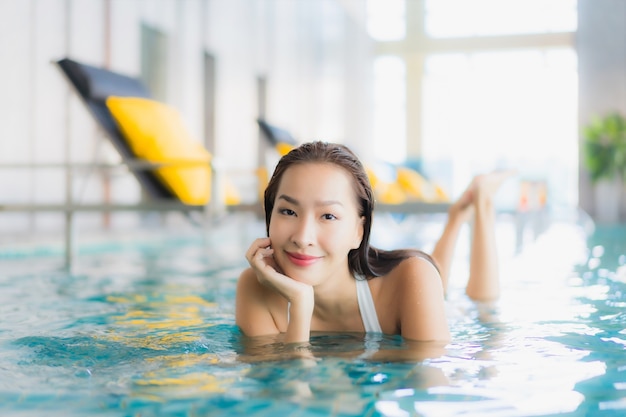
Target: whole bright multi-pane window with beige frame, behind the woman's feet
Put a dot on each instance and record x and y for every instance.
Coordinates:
(496, 82)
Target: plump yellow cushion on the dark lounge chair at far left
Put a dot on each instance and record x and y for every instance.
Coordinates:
(155, 132)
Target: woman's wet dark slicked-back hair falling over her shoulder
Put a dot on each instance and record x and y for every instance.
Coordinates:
(365, 261)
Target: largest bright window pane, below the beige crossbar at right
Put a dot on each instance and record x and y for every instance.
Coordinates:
(509, 109)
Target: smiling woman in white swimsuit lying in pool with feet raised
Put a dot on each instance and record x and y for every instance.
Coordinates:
(316, 270)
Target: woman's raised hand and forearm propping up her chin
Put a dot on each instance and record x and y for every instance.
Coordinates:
(299, 295)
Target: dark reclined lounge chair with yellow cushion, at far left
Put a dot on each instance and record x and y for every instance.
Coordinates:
(150, 137)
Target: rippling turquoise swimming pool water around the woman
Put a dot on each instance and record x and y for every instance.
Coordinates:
(145, 327)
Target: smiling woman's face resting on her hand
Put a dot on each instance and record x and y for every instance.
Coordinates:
(315, 222)
